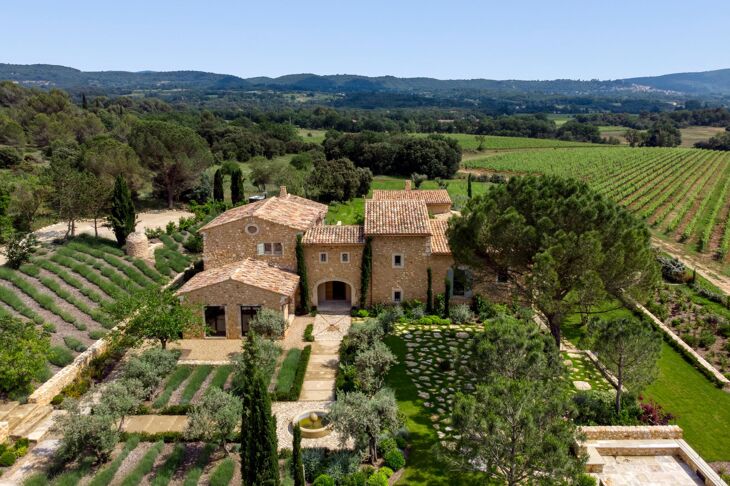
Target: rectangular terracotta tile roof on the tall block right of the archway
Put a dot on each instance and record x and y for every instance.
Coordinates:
(396, 218)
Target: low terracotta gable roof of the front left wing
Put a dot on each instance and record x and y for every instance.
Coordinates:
(255, 273)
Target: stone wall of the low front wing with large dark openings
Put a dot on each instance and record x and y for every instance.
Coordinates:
(232, 294)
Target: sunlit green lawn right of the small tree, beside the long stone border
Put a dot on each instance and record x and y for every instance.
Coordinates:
(702, 409)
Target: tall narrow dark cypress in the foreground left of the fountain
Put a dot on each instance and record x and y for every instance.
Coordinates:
(259, 459)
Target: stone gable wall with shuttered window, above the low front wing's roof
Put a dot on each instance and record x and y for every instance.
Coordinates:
(230, 243)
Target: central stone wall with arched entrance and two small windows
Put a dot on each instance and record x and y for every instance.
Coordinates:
(334, 269)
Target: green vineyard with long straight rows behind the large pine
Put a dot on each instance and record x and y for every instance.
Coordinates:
(681, 193)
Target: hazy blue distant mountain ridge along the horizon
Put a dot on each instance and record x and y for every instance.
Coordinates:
(701, 84)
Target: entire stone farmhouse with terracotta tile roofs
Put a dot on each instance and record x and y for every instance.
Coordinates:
(249, 256)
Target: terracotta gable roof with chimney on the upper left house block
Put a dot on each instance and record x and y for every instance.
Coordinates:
(293, 211)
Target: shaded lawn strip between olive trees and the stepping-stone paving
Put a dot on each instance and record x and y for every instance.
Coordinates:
(423, 465)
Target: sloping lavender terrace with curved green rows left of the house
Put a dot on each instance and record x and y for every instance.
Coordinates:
(64, 289)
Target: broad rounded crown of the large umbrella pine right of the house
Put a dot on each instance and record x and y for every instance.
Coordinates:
(560, 243)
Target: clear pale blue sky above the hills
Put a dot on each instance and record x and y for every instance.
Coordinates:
(528, 39)
